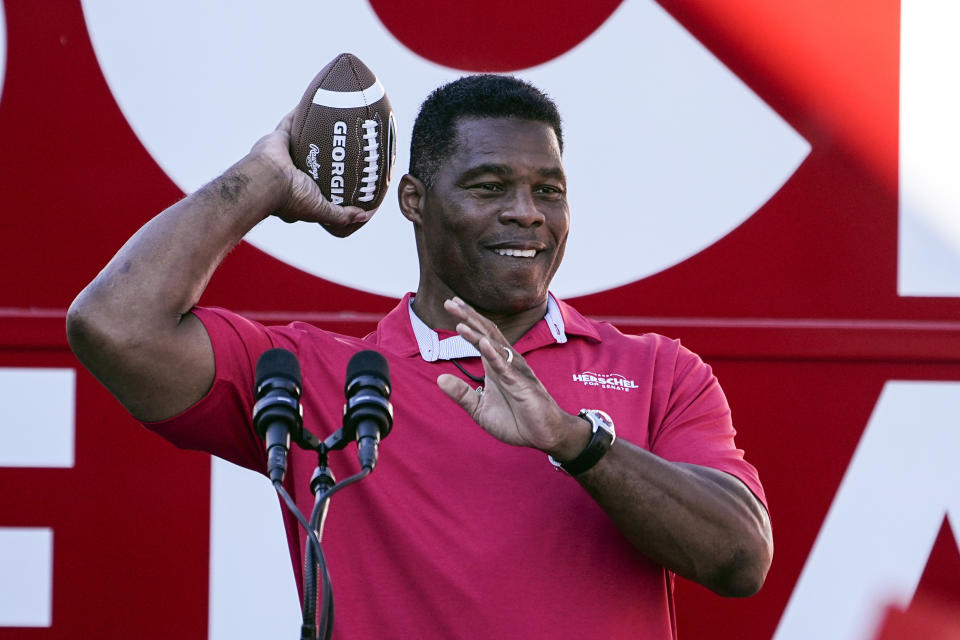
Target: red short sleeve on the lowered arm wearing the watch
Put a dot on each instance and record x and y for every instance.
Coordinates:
(697, 427)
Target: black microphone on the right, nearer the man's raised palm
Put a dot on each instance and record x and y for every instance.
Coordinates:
(368, 414)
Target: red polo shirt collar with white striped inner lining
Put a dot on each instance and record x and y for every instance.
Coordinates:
(404, 333)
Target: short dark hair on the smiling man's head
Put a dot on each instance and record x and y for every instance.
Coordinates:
(479, 96)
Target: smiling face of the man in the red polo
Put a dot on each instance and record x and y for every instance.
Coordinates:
(495, 222)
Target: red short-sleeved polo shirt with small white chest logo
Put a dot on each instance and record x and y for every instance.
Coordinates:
(457, 535)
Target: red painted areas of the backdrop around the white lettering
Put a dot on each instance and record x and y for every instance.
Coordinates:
(797, 309)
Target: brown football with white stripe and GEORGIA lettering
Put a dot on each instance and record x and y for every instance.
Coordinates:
(344, 134)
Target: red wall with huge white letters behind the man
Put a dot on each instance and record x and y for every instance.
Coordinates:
(771, 182)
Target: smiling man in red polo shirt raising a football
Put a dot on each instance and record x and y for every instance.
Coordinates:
(458, 534)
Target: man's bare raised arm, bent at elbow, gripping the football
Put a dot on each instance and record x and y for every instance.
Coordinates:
(131, 326)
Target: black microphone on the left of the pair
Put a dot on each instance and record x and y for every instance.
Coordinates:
(277, 412)
